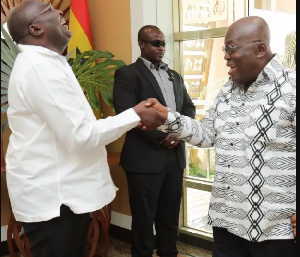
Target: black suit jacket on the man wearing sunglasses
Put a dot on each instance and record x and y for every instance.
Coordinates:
(142, 151)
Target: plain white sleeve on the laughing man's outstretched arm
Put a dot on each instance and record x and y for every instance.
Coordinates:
(62, 107)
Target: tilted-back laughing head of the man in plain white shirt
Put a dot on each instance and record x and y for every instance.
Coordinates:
(38, 23)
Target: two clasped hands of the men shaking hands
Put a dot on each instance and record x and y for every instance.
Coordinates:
(152, 114)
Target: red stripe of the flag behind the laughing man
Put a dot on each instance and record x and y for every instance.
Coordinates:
(80, 11)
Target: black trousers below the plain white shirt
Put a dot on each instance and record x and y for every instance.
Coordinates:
(63, 236)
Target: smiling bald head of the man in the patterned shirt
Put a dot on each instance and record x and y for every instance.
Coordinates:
(247, 49)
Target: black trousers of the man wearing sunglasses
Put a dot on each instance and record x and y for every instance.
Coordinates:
(155, 199)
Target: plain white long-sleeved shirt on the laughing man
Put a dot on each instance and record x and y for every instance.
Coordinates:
(56, 153)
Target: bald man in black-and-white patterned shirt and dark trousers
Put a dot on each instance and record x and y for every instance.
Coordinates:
(252, 124)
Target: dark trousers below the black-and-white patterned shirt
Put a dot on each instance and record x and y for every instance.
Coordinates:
(228, 245)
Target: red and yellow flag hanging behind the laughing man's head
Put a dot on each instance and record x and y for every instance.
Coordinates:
(79, 25)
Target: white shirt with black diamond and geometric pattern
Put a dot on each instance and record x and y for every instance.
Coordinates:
(254, 133)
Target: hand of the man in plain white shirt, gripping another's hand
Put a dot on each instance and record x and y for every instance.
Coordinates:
(150, 118)
